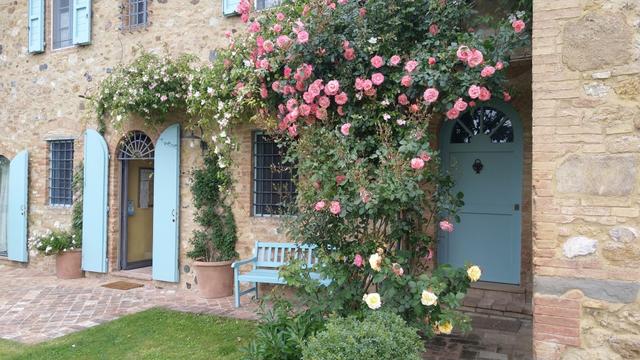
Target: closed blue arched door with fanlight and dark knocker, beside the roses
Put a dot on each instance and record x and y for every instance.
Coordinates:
(482, 150)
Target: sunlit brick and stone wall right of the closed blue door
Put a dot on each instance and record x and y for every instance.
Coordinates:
(586, 179)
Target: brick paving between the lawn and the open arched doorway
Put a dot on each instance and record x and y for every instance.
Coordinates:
(35, 307)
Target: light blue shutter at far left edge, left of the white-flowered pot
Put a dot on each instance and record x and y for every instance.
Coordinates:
(18, 205)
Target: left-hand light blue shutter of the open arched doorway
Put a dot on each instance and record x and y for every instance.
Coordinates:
(95, 203)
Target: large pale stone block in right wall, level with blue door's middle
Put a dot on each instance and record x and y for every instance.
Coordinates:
(605, 175)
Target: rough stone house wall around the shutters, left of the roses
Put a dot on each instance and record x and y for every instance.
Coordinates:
(43, 97)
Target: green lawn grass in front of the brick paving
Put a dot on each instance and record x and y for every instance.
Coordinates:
(152, 334)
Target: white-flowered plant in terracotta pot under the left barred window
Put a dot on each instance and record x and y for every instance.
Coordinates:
(65, 245)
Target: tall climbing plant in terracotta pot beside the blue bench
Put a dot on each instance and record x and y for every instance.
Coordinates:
(213, 245)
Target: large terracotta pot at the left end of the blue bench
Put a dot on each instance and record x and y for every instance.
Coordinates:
(215, 279)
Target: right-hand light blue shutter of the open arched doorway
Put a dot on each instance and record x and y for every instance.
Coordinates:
(166, 199)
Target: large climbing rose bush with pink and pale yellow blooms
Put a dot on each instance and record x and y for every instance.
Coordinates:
(351, 89)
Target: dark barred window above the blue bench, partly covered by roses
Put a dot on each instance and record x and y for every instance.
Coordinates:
(273, 188)
